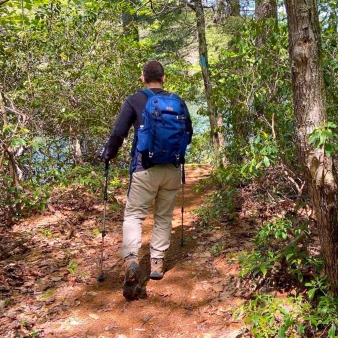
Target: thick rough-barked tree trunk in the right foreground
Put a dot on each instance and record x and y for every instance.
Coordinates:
(310, 114)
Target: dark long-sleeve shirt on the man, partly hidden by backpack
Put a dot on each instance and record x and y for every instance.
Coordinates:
(131, 115)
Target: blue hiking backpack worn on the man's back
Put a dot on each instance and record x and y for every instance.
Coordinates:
(164, 136)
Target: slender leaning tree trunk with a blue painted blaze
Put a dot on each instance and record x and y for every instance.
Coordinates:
(216, 120)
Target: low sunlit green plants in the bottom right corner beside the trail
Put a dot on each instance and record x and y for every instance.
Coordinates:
(294, 316)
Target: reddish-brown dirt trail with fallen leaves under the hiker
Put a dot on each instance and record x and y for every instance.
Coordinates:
(49, 286)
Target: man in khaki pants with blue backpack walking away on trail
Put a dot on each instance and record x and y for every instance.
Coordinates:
(151, 178)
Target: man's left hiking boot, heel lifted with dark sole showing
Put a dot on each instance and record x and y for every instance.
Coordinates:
(131, 285)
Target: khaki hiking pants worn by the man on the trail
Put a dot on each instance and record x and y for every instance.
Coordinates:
(160, 183)
